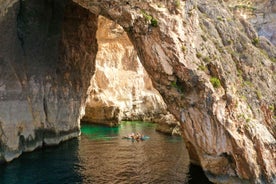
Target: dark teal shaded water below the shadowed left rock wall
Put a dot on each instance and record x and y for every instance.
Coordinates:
(55, 164)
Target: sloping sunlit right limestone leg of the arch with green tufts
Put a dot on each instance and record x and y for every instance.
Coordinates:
(207, 65)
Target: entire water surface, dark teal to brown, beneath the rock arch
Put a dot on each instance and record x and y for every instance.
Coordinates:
(100, 155)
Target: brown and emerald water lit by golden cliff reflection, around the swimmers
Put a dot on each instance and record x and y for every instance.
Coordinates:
(108, 157)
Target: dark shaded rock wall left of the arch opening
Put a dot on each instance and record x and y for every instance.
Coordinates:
(44, 73)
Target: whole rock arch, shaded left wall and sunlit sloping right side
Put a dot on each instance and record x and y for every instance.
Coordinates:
(214, 72)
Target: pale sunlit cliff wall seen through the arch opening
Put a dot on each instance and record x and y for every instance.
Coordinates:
(120, 89)
